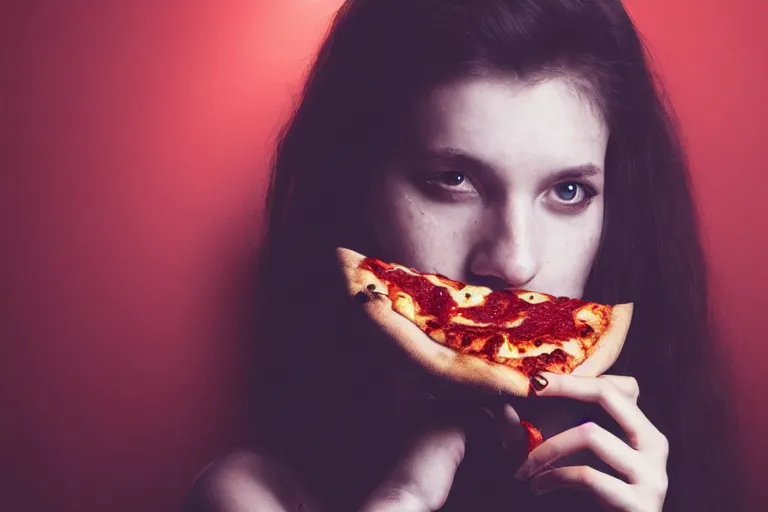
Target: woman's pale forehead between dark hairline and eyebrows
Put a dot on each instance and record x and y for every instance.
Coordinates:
(509, 123)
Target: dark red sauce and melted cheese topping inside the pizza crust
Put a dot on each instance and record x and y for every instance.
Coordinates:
(535, 331)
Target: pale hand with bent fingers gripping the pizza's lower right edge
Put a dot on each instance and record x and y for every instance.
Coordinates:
(642, 459)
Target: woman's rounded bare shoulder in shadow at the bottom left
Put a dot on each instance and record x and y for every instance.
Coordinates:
(244, 480)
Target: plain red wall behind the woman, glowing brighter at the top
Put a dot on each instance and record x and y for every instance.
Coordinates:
(131, 197)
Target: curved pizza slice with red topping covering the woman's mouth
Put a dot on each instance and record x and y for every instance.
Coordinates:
(493, 340)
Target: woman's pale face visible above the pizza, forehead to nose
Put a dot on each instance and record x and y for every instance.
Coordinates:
(502, 186)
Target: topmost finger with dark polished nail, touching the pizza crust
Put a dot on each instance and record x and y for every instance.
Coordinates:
(641, 433)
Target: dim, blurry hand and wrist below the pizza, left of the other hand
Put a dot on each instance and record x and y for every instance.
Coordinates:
(421, 481)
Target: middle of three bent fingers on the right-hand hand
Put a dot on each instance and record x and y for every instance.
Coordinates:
(589, 436)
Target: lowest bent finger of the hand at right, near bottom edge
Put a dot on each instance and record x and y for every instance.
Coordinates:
(612, 492)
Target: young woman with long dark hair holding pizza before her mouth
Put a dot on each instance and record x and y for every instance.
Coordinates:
(510, 143)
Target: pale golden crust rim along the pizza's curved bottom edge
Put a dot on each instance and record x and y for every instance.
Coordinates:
(446, 363)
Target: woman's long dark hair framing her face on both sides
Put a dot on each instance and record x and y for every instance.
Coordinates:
(379, 58)
